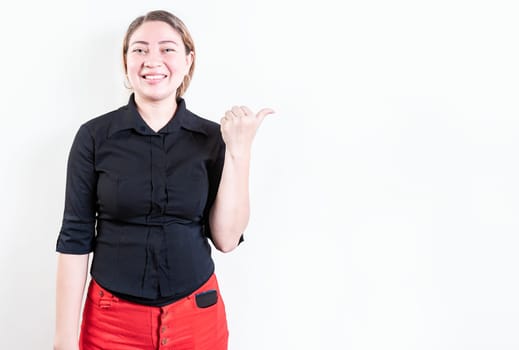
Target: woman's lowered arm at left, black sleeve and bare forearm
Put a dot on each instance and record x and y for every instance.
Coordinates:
(75, 240)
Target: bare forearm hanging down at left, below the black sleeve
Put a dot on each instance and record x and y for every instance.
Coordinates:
(70, 286)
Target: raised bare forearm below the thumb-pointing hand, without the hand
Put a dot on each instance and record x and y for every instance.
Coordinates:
(230, 213)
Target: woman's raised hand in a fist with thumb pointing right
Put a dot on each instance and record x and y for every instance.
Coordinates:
(239, 126)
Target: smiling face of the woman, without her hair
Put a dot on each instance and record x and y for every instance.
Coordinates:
(156, 61)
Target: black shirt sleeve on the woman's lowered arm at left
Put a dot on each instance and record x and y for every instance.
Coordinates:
(77, 234)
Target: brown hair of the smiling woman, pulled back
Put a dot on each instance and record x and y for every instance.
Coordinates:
(175, 23)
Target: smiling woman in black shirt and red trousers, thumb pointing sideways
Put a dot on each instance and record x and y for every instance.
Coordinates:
(147, 185)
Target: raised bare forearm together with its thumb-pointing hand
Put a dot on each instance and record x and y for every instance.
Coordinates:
(229, 215)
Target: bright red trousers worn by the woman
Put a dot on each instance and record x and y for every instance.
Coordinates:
(110, 323)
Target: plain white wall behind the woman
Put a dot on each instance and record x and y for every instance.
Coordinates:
(384, 190)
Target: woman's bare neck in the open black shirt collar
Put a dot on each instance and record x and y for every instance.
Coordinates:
(156, 113)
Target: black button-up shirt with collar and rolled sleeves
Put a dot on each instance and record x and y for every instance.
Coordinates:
(140, 200)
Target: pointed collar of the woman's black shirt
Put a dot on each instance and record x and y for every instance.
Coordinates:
(129, 118)
